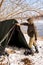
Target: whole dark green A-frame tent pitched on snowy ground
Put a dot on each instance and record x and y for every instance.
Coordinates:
(11, 34)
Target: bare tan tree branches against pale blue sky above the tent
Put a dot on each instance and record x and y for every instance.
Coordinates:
(20, 9)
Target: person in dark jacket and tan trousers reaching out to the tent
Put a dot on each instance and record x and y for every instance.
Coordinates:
(32, 33)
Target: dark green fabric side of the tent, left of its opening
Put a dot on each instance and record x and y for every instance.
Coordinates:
(5, 29)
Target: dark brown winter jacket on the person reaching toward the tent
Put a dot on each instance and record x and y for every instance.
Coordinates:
(31, 30)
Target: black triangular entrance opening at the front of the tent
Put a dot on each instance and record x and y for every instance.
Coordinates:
(18, 38)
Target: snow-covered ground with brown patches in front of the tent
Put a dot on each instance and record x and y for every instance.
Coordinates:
(17, 57)
